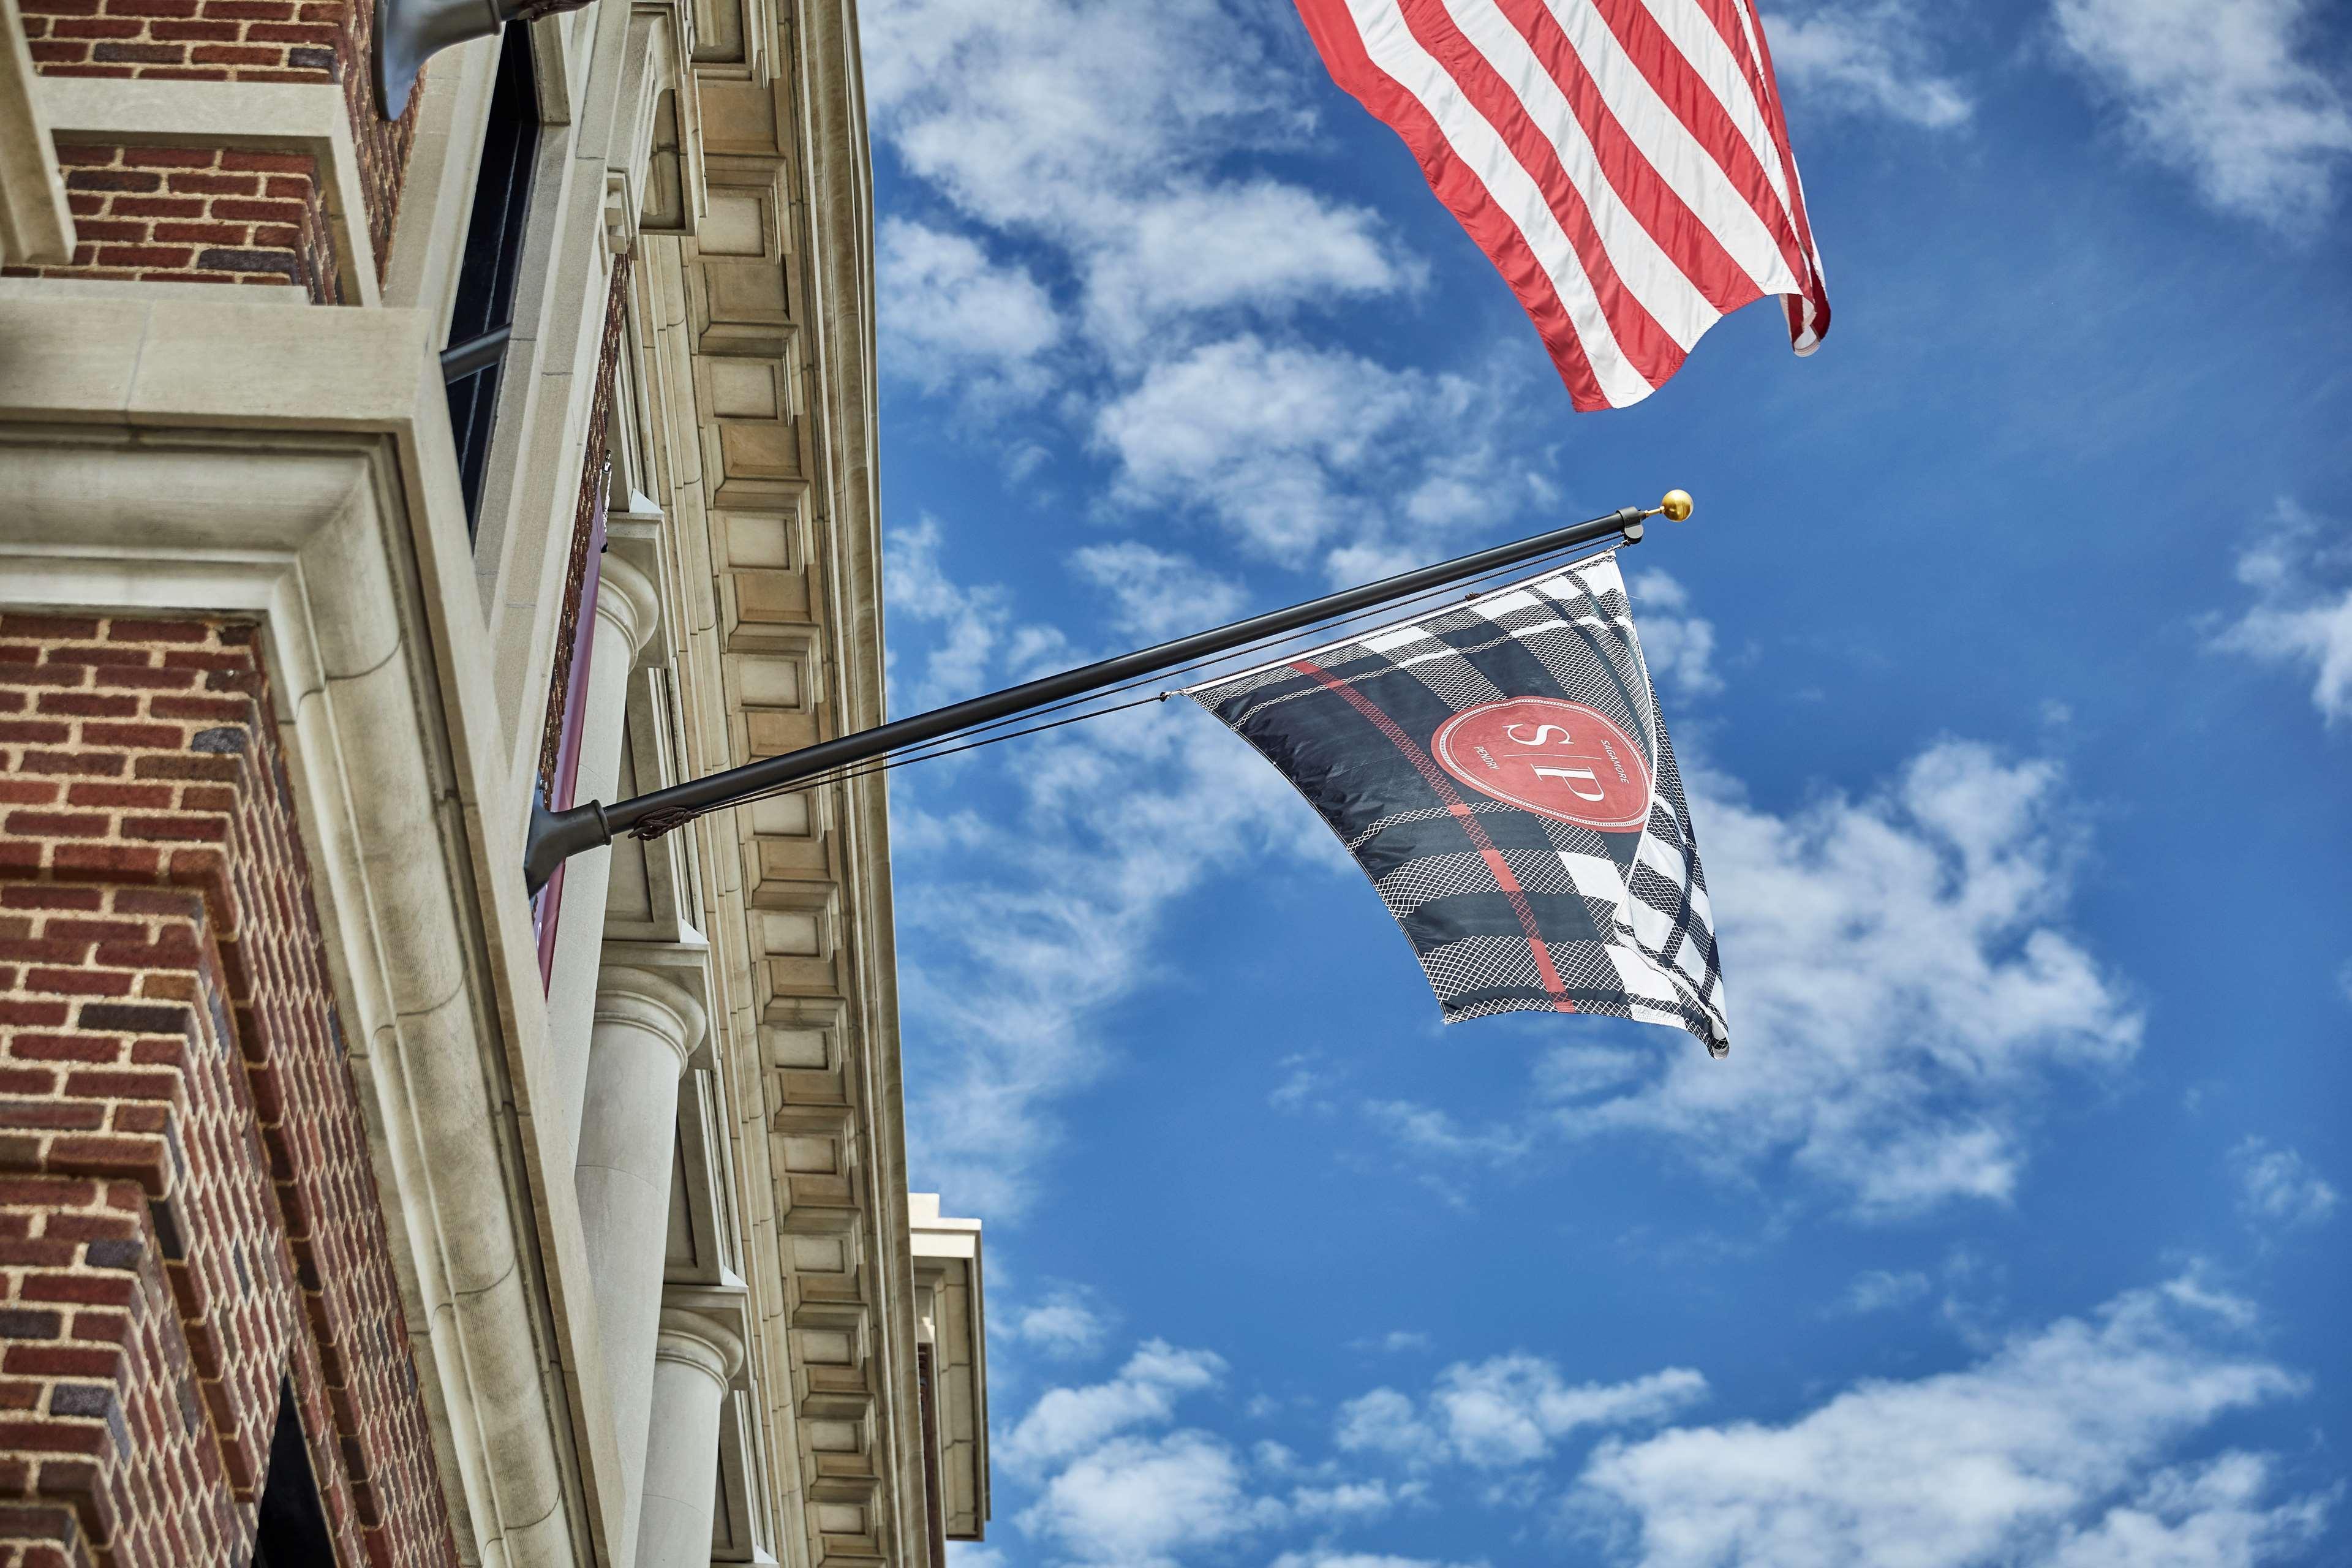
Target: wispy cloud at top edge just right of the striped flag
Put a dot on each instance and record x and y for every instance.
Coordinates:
(1864, 58)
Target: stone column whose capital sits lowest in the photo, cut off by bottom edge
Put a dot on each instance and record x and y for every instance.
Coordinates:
(695, 1362)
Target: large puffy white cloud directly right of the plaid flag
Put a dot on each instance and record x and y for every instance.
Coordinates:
(1902, 989)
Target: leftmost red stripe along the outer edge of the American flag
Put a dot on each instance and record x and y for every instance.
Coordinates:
(1459, 189)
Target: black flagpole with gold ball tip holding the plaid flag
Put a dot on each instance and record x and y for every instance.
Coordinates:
(559, 836)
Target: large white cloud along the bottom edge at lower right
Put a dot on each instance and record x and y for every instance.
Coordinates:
(2038, 1454)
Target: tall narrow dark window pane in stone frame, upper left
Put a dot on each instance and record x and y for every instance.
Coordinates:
(486, 283)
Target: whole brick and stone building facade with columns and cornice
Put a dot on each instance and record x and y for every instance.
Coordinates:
(361, 485)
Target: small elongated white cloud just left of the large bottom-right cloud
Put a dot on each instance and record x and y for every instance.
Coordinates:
(1506, 1412)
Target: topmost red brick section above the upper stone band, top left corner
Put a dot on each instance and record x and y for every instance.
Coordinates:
(239, 41)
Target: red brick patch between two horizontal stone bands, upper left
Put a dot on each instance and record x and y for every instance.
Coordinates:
(196, 215)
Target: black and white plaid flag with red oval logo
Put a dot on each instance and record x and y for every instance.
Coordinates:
(1502, 775)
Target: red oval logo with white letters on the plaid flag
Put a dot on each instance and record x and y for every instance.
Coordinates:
(1556, 758)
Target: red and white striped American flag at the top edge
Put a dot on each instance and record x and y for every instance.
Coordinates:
(1624, 163)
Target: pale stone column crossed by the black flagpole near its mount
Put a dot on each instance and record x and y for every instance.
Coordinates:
(627, 610)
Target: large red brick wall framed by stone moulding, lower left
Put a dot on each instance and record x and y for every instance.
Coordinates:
(187, 1205)
